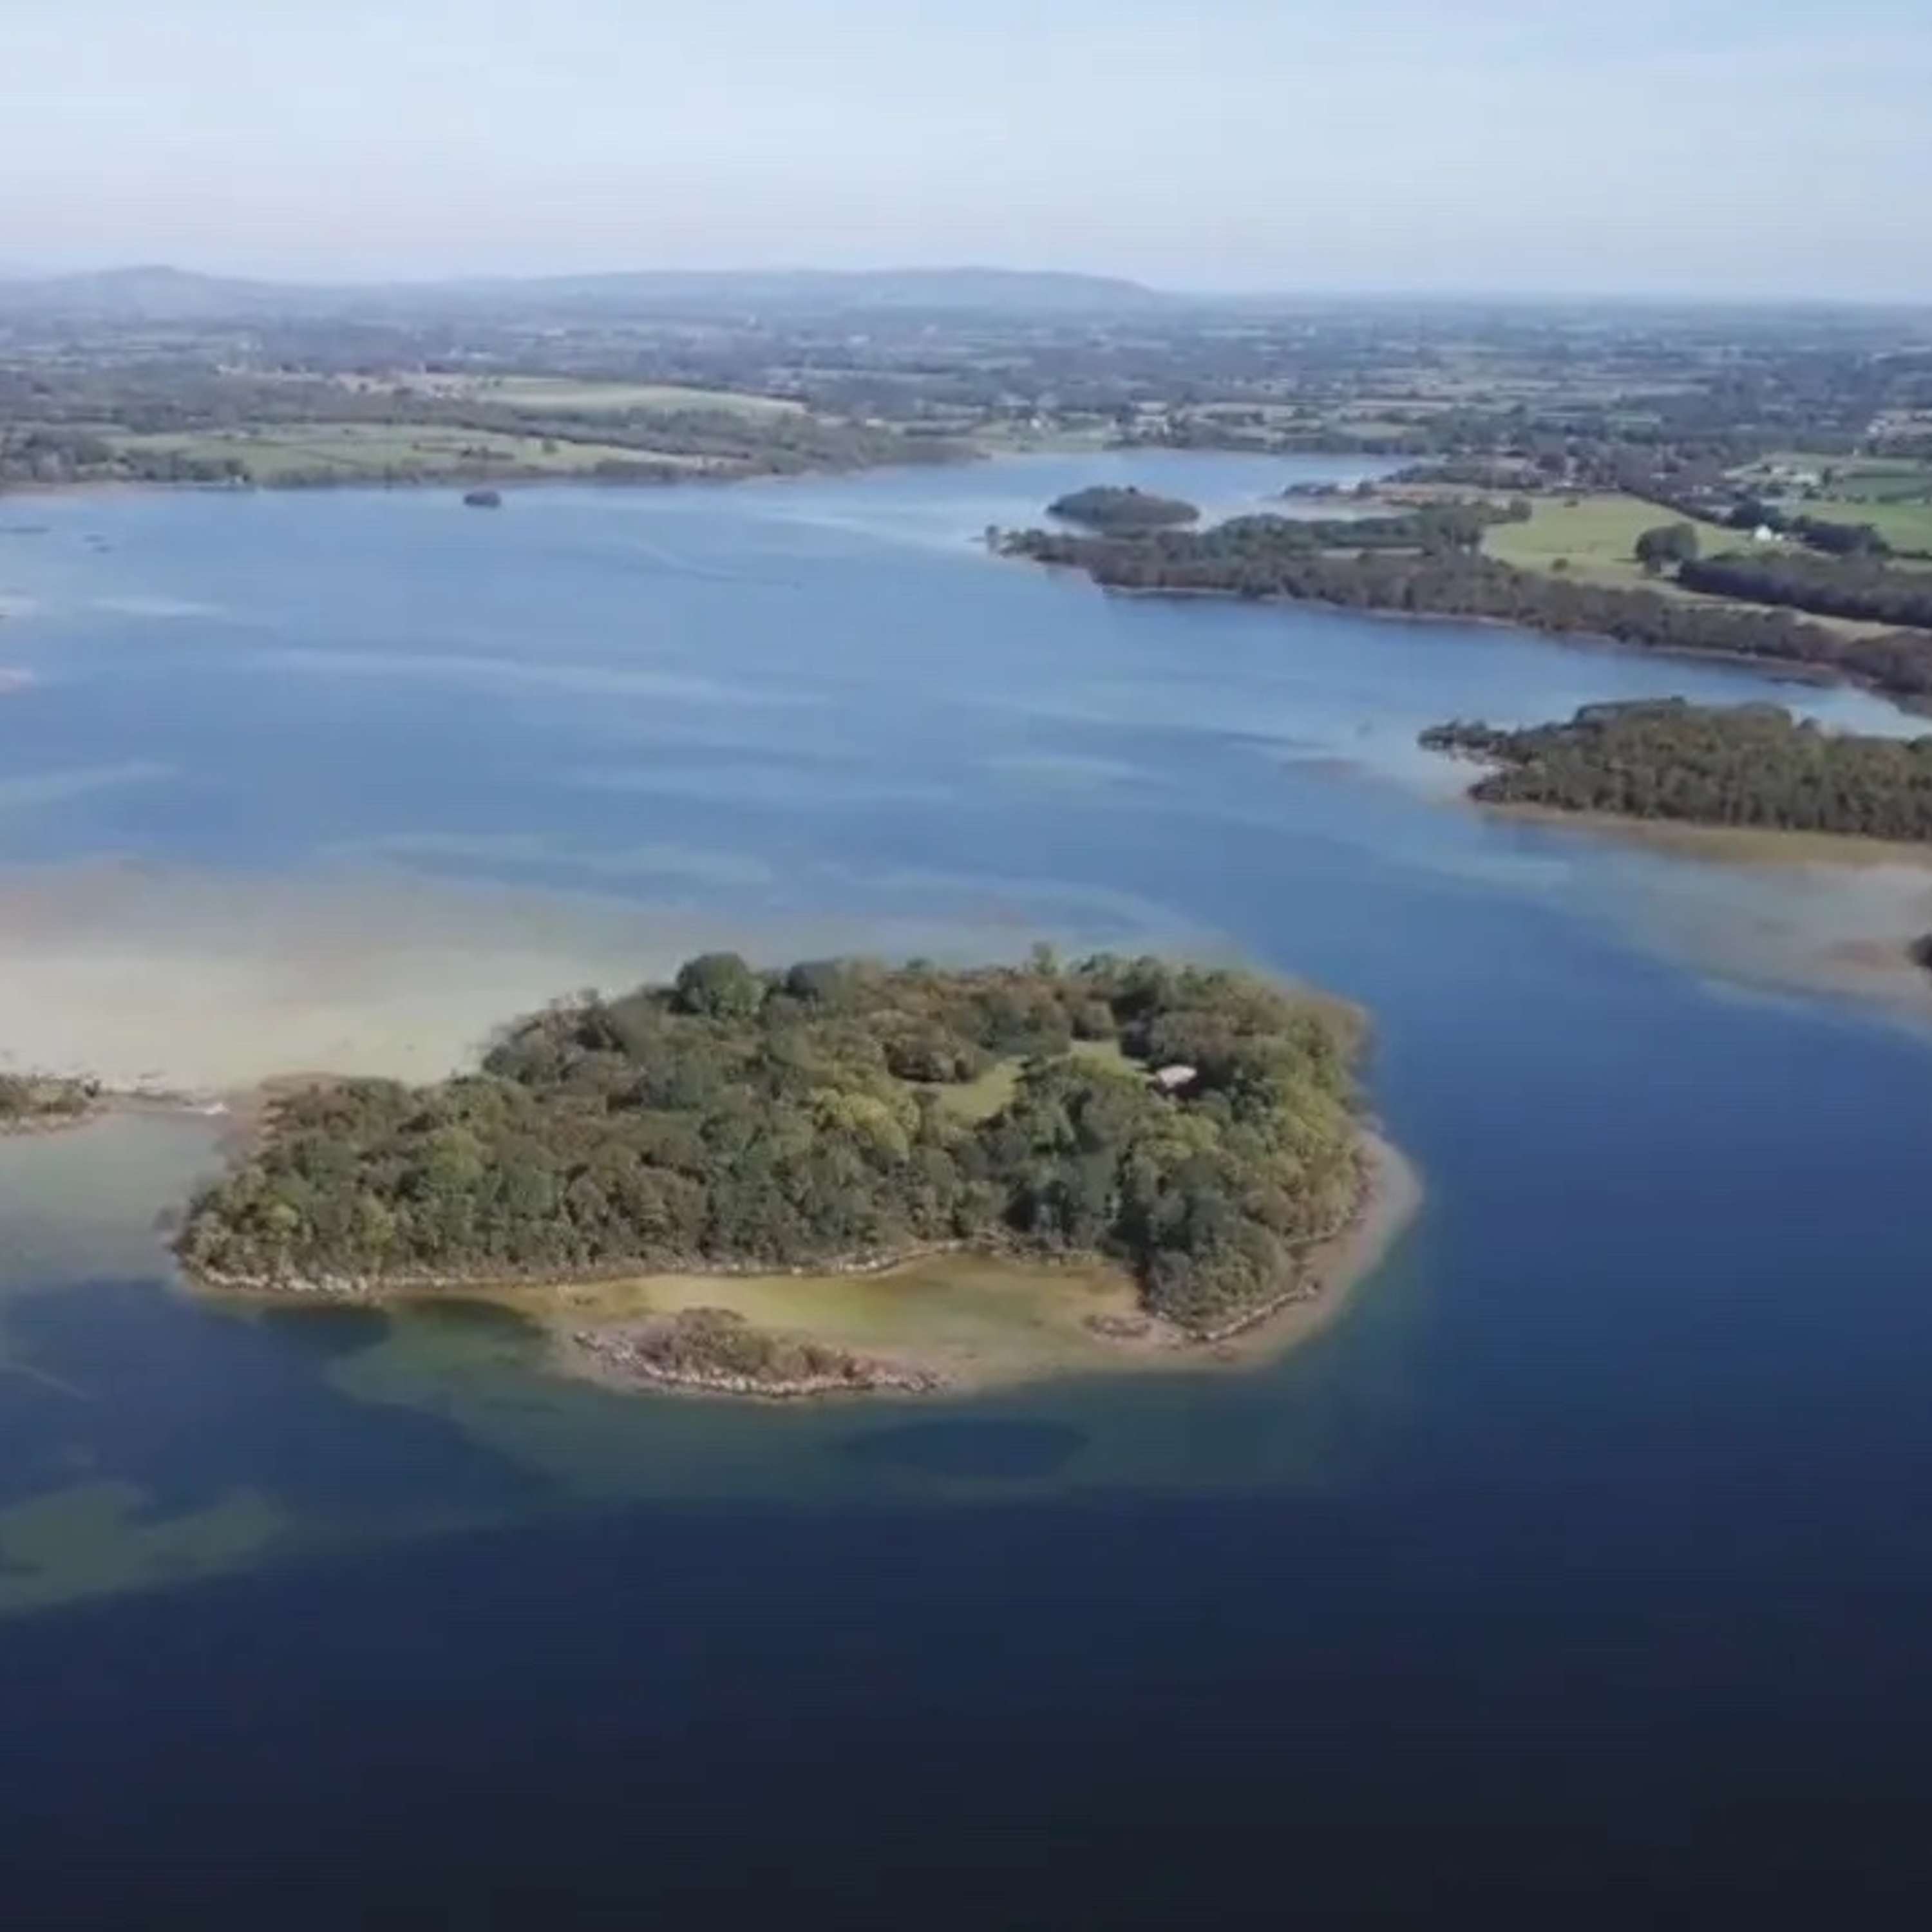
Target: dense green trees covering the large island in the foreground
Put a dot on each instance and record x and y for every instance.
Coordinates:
(828, 1116)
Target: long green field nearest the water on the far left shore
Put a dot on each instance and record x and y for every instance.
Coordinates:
(374, 451)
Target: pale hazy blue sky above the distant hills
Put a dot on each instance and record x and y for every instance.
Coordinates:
(1641, 146)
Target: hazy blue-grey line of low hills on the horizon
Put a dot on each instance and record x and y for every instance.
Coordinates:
(163, 295)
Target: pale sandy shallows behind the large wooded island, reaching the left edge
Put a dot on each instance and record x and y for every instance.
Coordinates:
(206, 984)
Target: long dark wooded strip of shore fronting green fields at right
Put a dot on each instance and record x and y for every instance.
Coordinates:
(1431, 565)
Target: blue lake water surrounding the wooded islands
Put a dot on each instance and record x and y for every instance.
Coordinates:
(1581, 1564)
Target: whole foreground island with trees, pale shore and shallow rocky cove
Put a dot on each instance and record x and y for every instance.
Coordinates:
(1141, 1158)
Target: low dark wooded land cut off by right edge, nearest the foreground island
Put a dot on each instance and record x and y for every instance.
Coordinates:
(1711, 764)
